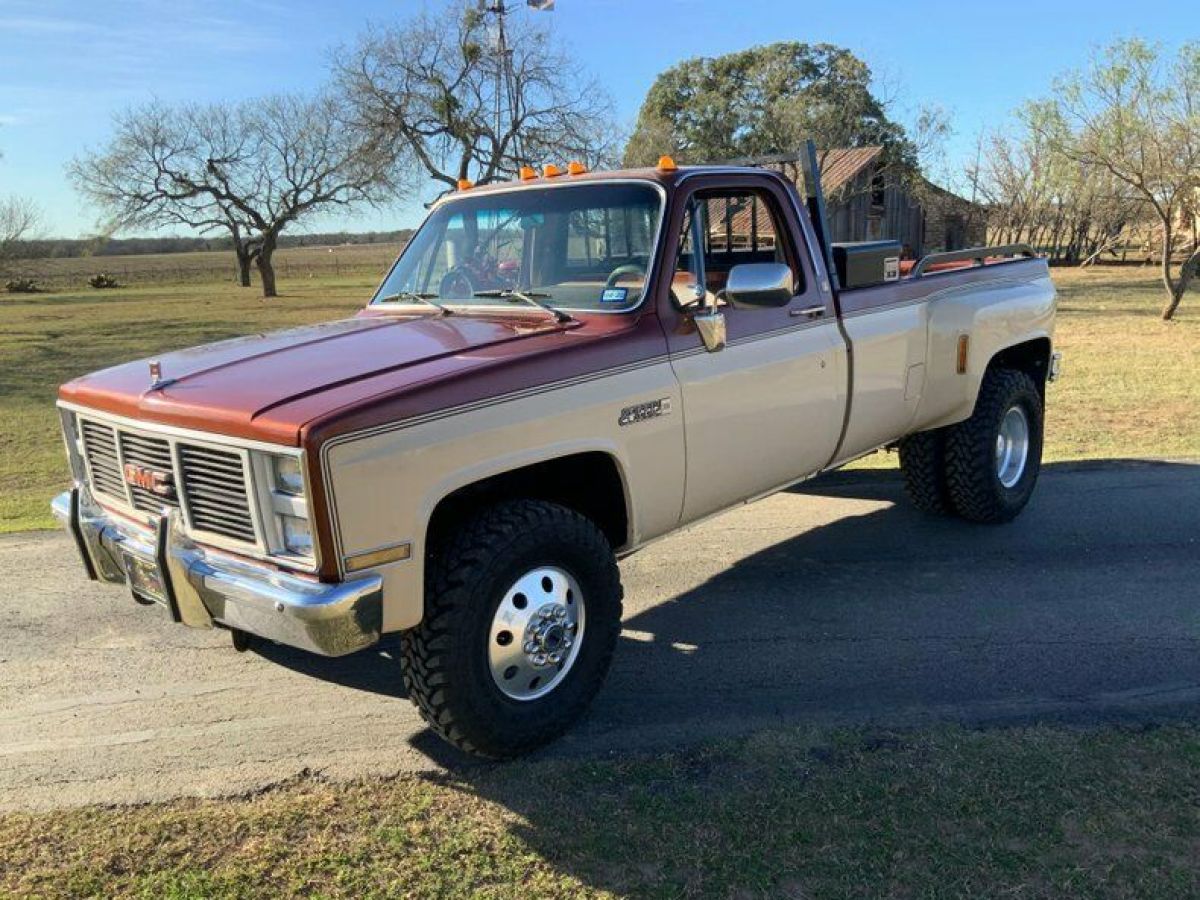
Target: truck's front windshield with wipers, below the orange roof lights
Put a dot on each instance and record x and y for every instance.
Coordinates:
(580, 248)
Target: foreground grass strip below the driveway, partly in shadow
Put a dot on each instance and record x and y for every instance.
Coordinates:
(1028, 813)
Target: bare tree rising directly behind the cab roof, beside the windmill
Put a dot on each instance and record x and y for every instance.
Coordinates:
(433, 91)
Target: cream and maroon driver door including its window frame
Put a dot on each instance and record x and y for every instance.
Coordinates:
(769, 409)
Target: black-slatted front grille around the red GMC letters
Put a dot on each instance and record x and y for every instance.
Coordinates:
(211, 484)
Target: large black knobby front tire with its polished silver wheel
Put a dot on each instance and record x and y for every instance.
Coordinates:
(523, 614)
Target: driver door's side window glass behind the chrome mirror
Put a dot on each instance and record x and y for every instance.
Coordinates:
(740, 226)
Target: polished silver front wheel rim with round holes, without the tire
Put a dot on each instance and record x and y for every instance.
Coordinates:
(537, 634)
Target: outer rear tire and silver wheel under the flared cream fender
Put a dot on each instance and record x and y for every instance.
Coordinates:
(994, 458)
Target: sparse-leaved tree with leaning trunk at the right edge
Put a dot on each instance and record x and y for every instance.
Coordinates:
(1136, 116)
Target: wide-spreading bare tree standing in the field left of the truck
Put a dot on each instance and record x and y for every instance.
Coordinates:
(251, 170)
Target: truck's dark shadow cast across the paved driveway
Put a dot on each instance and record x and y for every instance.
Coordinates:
(1085, 609)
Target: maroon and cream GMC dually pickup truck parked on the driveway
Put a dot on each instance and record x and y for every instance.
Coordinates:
(556, 373)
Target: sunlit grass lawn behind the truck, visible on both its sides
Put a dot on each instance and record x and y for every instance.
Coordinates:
(1130, 387)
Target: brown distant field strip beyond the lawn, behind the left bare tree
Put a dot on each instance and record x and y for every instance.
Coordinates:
(213, 267)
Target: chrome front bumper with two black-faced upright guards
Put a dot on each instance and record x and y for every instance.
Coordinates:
(203, 589)
